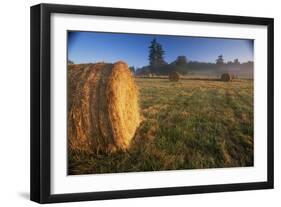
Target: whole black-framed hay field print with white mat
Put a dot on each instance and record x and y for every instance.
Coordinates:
(133, 103)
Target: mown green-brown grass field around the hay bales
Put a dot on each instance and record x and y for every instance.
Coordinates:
(190, 124)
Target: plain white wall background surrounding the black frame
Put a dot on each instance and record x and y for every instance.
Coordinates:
(14, 104)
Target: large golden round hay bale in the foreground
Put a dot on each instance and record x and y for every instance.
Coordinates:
(103, 110)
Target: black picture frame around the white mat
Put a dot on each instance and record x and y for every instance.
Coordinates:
(41, 99)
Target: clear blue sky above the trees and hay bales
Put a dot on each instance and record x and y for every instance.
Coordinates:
(85, 47)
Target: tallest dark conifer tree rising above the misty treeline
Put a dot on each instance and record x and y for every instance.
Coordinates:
(156, 55)
